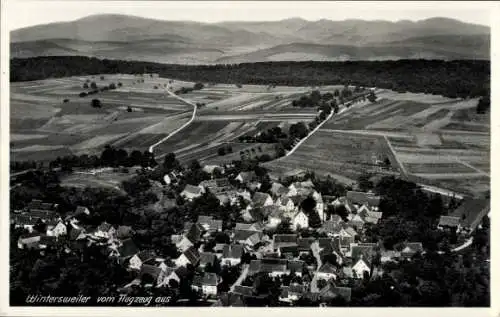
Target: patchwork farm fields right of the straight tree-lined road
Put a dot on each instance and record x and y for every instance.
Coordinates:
(428, 139)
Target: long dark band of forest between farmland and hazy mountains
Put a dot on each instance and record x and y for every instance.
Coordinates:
(460, 78)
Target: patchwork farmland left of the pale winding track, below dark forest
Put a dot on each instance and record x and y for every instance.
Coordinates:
(51, 113)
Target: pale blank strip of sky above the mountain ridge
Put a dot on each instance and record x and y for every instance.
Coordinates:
(23, 13)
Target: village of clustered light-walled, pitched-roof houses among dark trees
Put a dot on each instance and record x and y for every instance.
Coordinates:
(291, 240)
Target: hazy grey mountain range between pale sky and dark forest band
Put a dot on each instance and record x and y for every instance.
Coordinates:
(130, 37)
